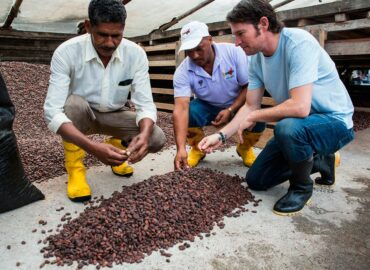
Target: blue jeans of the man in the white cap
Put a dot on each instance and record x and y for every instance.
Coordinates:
(201, 114)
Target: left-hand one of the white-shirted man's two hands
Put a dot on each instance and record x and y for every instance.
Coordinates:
(108, 154)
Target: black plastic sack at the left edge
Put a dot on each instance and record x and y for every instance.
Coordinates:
(15, 188)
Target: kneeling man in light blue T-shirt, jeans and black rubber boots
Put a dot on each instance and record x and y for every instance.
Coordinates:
(314, 111)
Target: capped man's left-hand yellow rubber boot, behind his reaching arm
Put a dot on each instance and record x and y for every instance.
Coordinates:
(195, 135)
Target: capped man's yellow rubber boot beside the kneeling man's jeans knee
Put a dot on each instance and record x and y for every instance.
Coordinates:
(245, 150)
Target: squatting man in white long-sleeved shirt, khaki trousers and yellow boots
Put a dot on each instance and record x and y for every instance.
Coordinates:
(91, 77)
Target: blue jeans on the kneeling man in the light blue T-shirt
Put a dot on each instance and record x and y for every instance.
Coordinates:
(295, 140)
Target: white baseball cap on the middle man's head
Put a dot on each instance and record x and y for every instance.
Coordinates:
(192, 34)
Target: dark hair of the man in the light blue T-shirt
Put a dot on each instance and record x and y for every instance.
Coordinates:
(251, 11)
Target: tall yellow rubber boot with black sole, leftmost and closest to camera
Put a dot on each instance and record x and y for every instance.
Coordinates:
(78, 189)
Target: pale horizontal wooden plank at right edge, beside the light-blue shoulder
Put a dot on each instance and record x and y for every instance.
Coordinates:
(348, 47)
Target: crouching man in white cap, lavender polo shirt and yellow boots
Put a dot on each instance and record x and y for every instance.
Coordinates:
(217, 75)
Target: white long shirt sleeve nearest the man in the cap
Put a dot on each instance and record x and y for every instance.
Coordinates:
(141, 91)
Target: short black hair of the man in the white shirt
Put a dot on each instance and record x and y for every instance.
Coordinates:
(107, 11)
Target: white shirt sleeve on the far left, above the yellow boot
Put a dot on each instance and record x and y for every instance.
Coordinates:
(57, 92)
